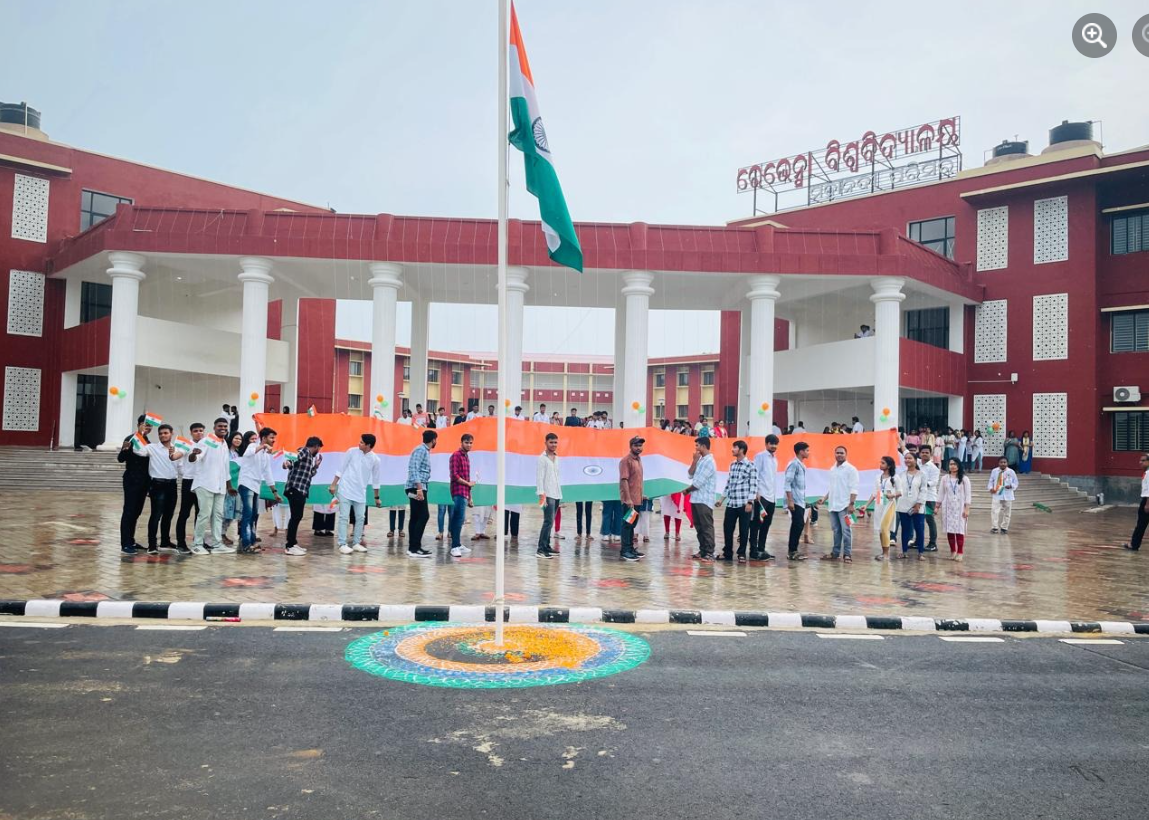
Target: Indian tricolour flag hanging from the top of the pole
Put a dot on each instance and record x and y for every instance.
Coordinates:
(531, 138)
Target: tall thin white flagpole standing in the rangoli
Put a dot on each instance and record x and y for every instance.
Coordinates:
(502, 405)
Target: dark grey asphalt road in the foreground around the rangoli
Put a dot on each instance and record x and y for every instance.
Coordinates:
(102, 722)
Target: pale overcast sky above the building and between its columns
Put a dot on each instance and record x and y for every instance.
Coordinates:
(651, 107)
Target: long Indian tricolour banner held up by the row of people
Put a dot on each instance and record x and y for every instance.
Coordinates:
(588, 459)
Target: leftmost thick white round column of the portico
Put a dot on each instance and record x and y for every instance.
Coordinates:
(127, 275)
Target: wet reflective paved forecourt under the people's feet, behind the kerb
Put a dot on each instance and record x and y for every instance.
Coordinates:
(1060, 566)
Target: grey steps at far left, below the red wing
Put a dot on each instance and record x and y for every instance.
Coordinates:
(34, 468)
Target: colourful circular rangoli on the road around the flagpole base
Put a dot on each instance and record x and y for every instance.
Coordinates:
(466, 656)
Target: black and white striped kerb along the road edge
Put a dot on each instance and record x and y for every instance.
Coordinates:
(406, 614)
